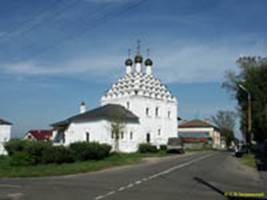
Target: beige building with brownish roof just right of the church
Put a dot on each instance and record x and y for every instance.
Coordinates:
(199, 131)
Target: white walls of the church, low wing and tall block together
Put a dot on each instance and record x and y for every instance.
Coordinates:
(100, 130)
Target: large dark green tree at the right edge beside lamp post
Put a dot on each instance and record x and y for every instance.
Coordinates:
(252, 76)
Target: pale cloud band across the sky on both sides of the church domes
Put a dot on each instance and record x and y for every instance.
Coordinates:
(178, 63)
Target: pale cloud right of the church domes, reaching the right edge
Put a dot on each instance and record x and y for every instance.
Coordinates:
(202, 63)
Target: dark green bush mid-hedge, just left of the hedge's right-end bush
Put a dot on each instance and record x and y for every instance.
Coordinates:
(57, 154)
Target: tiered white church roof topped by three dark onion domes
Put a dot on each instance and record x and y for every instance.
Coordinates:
(137, 82)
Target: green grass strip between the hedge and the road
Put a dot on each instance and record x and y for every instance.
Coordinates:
(72, 168)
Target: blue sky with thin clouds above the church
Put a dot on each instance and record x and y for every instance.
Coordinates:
(57, 53)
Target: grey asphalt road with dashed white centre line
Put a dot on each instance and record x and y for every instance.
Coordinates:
(195, 176)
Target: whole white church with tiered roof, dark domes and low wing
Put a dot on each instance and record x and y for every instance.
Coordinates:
(147, 107)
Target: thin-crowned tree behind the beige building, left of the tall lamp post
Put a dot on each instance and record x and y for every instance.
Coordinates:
(225, 121)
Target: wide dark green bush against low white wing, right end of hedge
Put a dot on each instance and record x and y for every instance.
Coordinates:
(89, 151)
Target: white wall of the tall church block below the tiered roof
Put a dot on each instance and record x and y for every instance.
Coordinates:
(151, 124)
